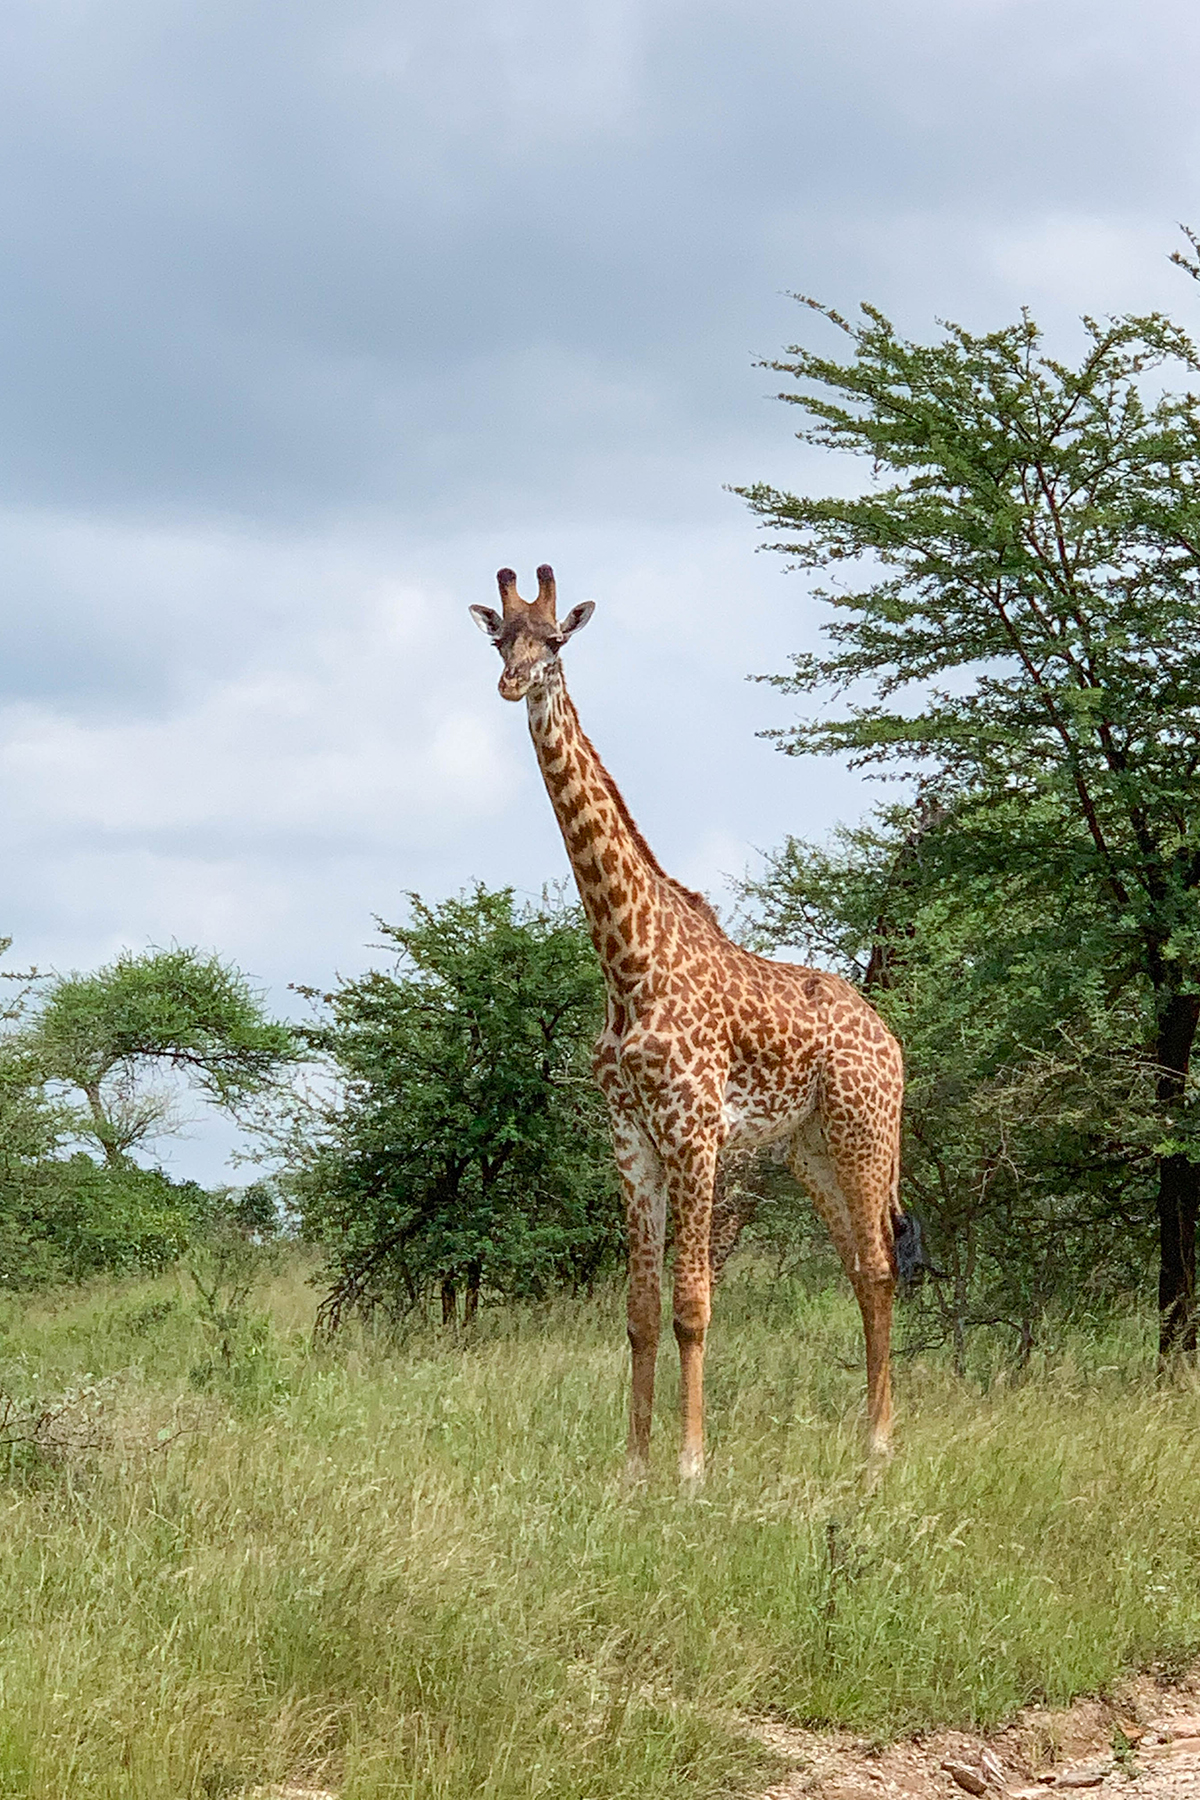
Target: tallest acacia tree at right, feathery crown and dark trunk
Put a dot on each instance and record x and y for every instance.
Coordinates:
(1023, 613)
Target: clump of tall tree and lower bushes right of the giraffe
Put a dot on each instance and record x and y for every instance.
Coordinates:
(1014, 620)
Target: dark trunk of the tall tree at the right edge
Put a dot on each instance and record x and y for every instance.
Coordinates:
(1179, 1185)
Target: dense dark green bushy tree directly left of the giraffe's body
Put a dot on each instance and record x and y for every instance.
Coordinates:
(470, 1149)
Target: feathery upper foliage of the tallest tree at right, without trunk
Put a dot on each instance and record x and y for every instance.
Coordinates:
(1044, 534)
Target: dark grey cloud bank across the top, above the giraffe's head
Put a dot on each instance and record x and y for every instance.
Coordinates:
(424, 258)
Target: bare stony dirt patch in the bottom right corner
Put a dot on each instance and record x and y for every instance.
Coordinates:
(1142, 1743)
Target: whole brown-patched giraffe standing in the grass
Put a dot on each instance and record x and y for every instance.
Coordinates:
(706, 1048)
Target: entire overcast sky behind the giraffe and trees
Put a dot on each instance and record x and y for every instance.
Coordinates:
(316, 314)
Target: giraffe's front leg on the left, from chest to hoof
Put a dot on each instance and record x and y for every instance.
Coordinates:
(645, 1207)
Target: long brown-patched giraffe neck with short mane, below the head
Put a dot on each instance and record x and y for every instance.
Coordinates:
(627, 897)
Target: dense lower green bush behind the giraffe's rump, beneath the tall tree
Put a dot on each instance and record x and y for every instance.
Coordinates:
(1030, 1120)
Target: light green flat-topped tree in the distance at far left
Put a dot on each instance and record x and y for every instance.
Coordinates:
(177, 1009)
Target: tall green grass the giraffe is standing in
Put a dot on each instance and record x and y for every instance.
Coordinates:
(415, 1569)
